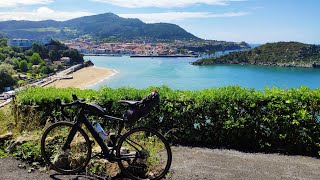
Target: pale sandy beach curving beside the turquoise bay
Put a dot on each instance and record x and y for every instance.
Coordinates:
(84, 78)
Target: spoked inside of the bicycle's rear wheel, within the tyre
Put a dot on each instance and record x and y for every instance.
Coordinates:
(145, 154)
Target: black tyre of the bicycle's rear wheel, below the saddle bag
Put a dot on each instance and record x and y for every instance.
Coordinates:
(155, 140)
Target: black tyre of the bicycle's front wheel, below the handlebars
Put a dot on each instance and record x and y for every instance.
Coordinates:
(46, 147)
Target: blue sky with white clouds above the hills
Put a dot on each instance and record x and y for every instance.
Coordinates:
(253, 21)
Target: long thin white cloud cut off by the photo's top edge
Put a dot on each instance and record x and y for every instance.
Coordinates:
(163, 3)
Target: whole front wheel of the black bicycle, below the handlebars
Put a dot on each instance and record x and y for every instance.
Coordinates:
(72, 160)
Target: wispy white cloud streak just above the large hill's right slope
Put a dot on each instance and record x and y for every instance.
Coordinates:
(180, 16)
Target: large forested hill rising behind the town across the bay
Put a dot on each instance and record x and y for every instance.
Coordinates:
(101, 26)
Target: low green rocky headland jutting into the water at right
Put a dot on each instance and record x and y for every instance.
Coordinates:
(288, 54)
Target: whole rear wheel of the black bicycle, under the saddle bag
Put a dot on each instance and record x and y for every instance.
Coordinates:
(144, 154)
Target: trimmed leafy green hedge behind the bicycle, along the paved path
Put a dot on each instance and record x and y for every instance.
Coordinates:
(273, 120)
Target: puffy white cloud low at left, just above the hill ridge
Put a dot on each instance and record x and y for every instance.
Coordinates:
(42, 13)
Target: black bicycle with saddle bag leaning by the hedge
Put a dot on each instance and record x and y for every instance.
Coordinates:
(141, 153)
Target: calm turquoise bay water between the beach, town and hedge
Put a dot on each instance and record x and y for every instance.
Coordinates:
(178, 73)
